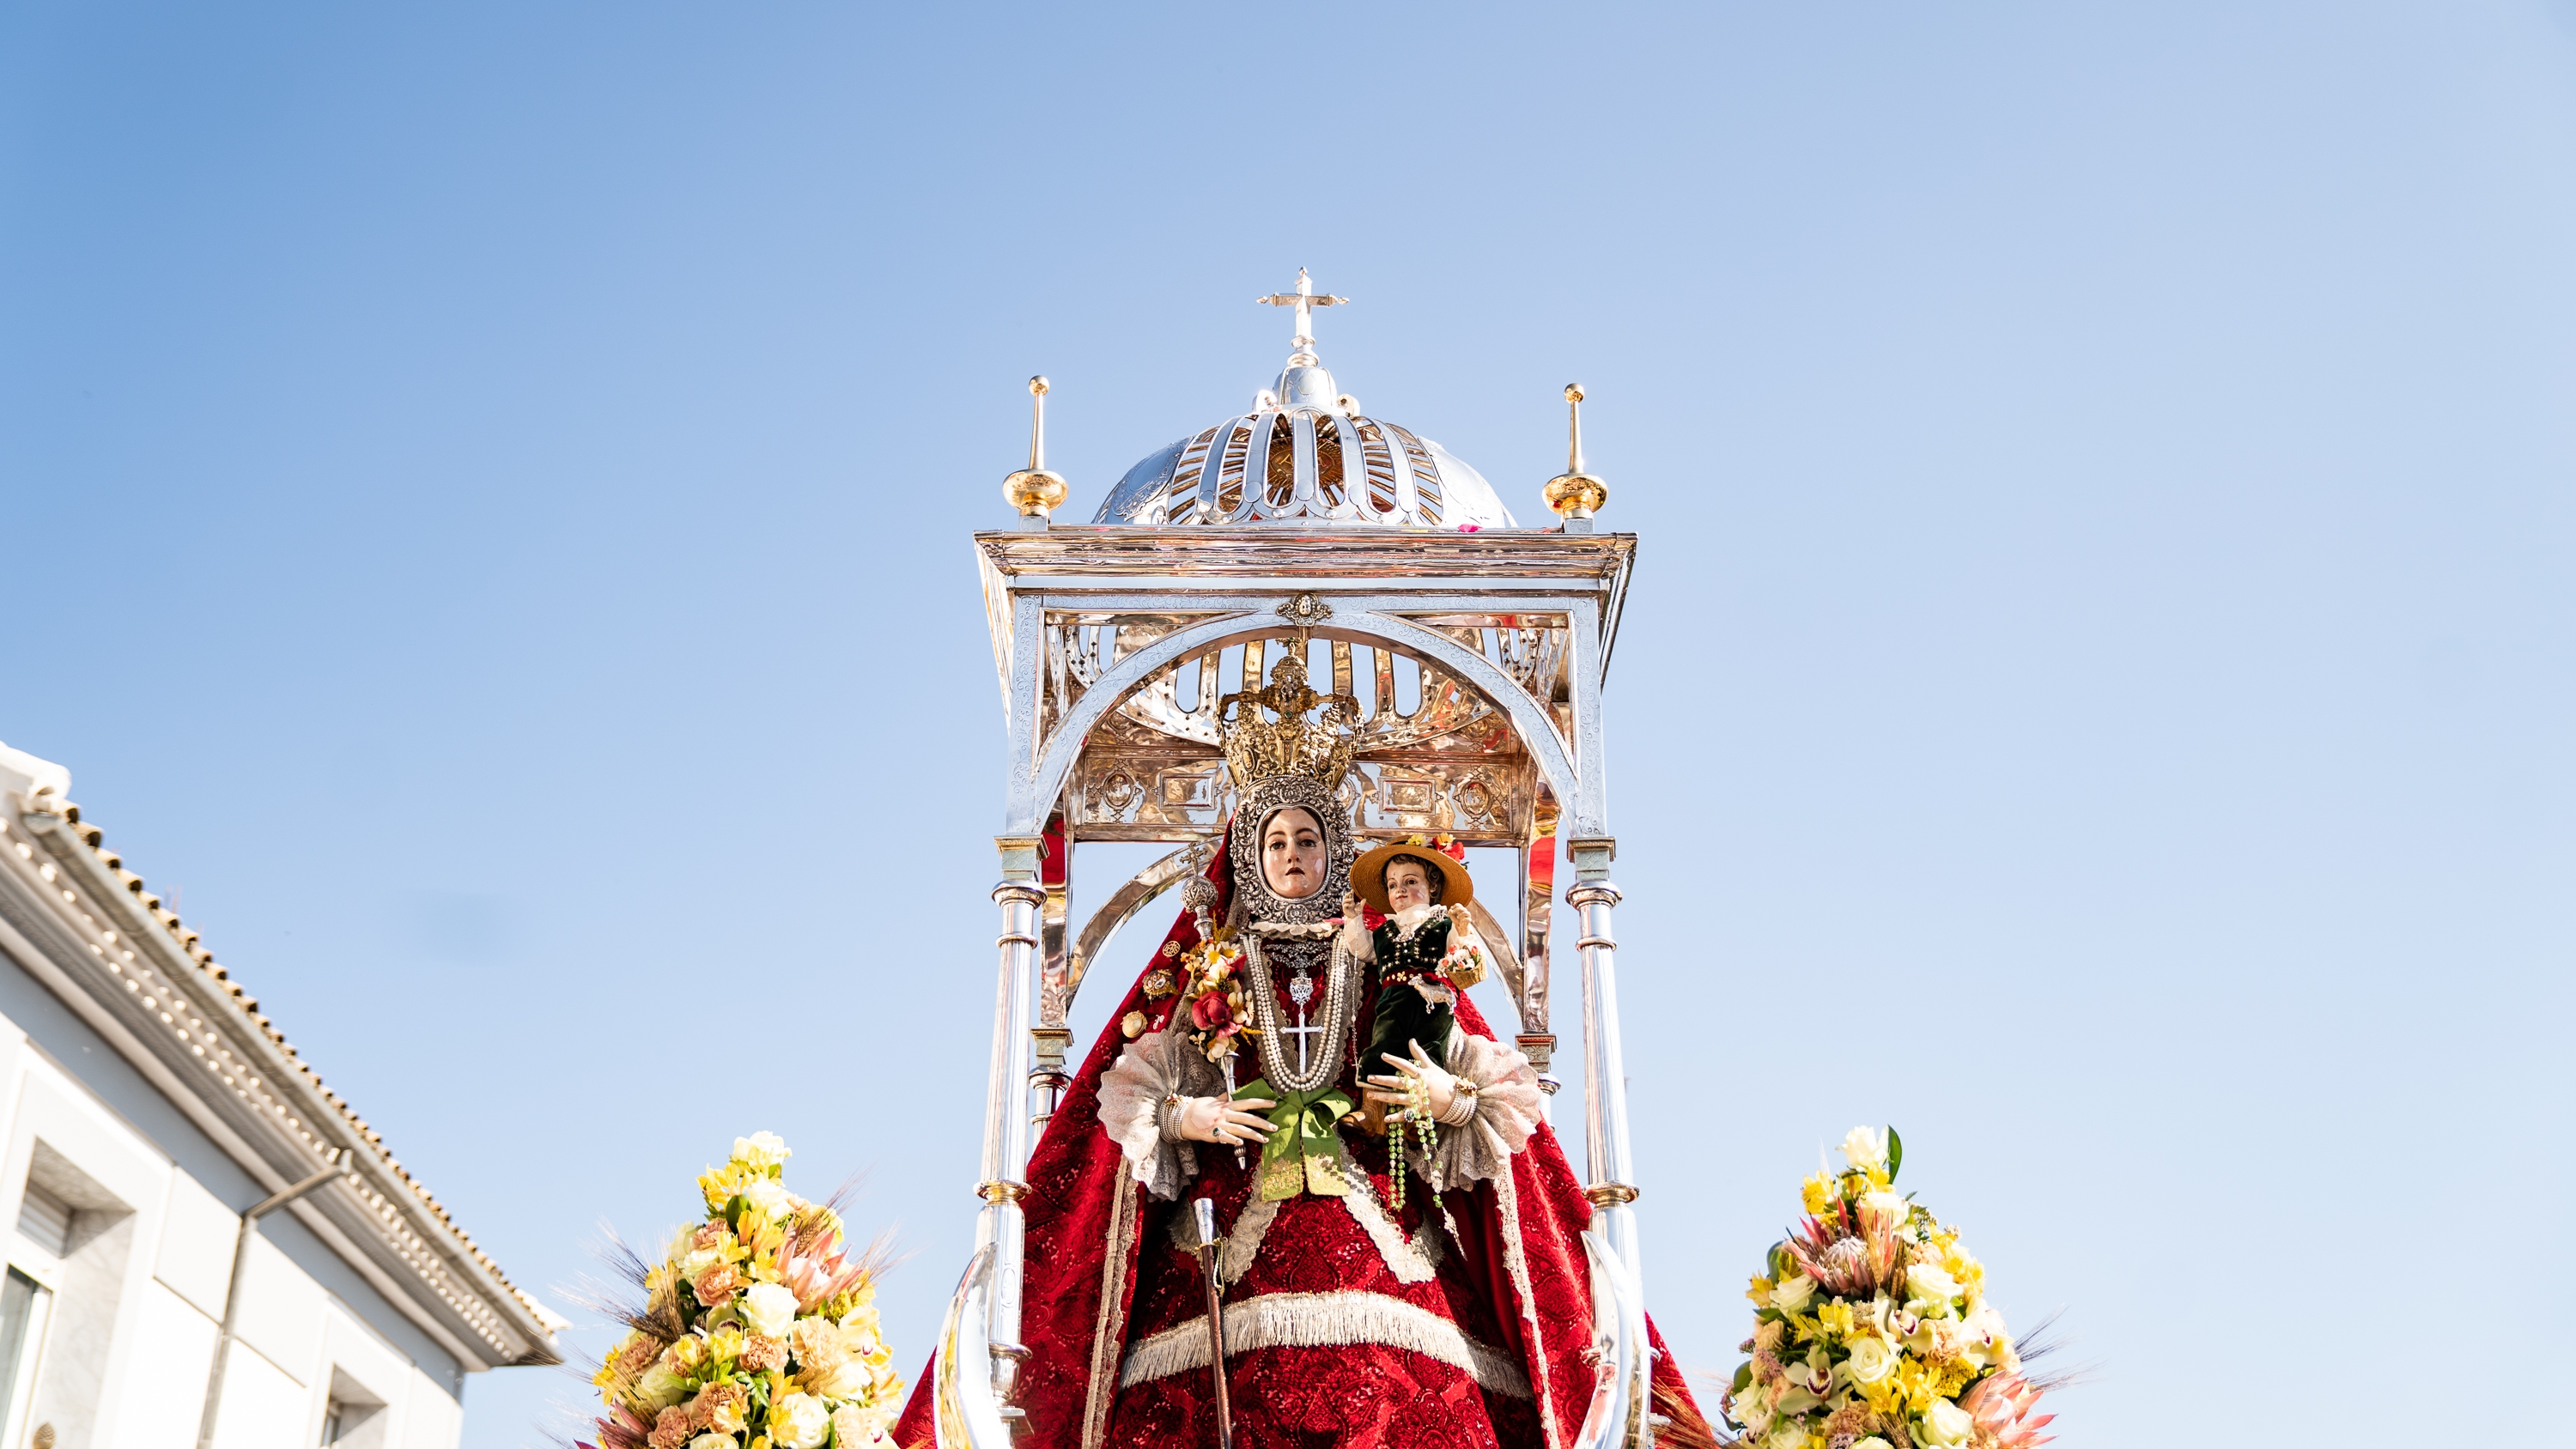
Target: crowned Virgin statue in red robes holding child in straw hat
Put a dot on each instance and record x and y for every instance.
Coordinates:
(1400, 1257)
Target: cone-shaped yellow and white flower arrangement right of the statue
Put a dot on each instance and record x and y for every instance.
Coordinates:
(1874, 1332)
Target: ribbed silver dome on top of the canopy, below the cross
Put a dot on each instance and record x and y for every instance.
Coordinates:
(1305, 457)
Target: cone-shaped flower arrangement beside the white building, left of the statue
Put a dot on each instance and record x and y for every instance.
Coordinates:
(759, 1329)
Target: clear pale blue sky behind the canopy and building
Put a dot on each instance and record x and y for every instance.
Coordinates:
(486, 498)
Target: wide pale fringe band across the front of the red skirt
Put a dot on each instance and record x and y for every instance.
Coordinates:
(1325, 1322)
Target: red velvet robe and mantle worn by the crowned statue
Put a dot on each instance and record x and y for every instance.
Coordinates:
(1104, 1275)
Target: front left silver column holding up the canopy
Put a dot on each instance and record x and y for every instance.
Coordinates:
(1006, 1108)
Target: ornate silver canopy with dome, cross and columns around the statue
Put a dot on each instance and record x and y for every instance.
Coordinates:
(1472, 655)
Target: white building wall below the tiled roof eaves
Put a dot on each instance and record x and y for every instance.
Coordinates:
(140, 1291)
